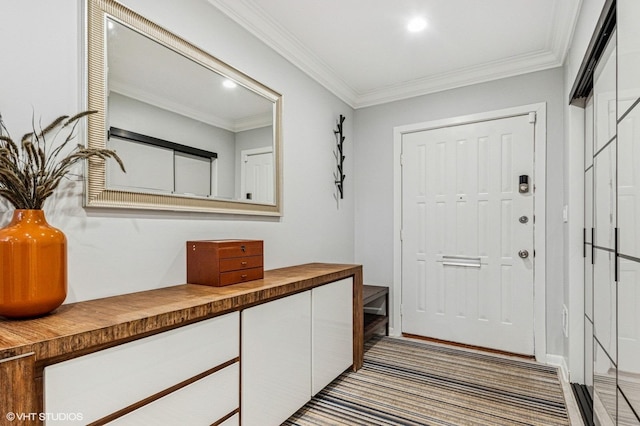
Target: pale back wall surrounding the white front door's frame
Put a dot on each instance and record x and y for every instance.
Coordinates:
(374, 172)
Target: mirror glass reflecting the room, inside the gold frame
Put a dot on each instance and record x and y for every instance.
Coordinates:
(183, 128)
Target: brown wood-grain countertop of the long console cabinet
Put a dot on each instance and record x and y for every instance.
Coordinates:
(79, 328)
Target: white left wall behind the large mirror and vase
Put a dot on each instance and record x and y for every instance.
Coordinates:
(113, 251)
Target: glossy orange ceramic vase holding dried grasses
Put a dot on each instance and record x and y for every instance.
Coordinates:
(33, 266)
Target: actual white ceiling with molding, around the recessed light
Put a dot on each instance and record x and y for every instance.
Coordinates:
(360, 50)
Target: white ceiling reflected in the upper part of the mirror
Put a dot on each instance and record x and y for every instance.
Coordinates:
(159, 80)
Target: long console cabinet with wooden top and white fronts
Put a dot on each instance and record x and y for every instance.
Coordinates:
(253, 353)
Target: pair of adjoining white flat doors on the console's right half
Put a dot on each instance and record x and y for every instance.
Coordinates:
(292, 348)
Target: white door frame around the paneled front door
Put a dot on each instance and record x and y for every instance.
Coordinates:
(539, 236)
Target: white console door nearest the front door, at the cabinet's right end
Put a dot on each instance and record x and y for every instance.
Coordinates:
(331, 332)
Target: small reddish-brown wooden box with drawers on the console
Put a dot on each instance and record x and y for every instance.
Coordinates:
(224, 262)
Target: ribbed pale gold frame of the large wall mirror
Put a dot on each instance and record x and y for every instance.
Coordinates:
(97, 193)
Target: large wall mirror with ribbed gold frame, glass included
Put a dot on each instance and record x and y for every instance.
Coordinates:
(194, 133)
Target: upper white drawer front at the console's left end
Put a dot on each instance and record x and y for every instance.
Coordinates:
(104, 382)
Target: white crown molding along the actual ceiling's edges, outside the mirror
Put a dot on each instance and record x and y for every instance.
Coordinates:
(250, 16)
